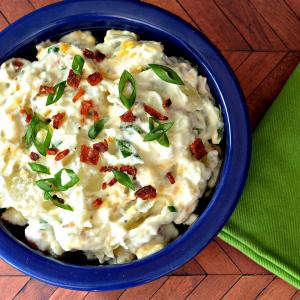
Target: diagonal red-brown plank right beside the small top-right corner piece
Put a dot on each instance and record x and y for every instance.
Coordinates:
(283, 21)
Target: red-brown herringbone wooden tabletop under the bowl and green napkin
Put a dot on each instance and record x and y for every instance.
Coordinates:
(261, 41)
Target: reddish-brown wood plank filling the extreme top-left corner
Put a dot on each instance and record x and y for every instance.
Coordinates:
(15, 9)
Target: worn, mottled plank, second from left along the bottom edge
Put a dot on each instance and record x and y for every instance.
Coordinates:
(35, 290)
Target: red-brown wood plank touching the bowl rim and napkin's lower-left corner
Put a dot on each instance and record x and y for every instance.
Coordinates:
(215, 261)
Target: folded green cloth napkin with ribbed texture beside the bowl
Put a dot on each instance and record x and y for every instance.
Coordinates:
(266, 223)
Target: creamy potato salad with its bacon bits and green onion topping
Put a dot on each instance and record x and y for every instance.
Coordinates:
(105, 147)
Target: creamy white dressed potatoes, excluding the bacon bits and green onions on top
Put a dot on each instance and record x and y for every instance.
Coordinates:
(123, 227)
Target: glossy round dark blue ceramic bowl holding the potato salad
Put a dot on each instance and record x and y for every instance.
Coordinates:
(179, 39)
